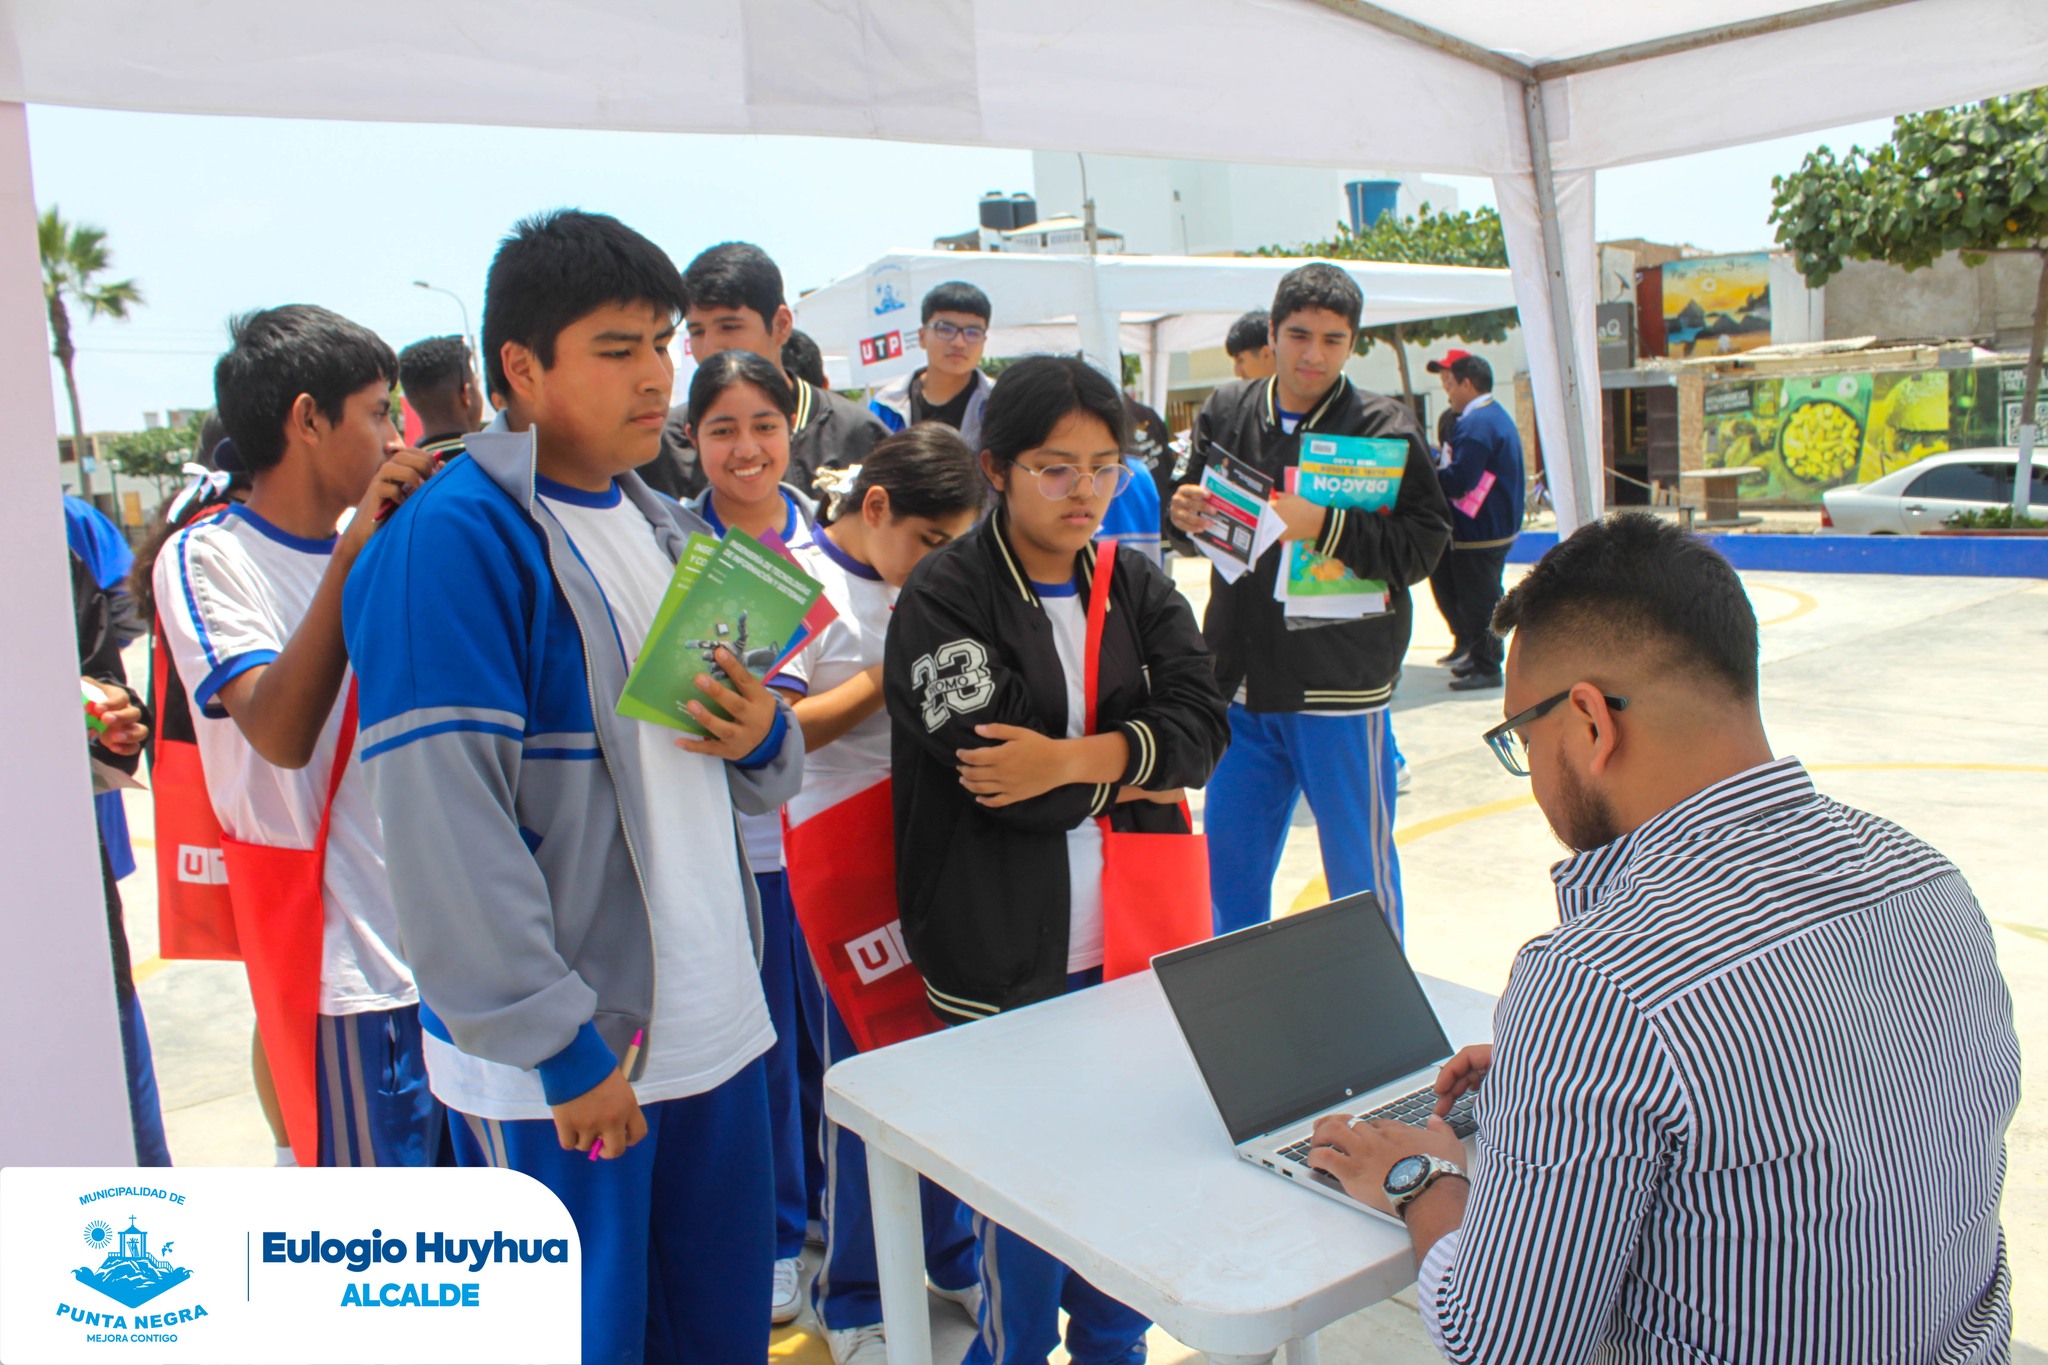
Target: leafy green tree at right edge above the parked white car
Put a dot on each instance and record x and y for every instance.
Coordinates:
(1971, 181)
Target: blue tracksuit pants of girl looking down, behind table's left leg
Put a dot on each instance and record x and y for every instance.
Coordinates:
(845, 1292)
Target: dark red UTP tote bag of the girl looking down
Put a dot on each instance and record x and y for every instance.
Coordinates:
(841, 869)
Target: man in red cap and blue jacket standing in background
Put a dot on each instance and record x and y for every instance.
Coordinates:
(1484, 486)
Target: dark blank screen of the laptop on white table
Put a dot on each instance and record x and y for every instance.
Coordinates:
(1297, 1016)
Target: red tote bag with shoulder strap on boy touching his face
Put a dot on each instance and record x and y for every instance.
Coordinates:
(282, 920)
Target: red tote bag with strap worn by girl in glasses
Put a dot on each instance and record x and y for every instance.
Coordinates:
(1154, 887)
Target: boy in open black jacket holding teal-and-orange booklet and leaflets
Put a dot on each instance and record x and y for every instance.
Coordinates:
(1310, 705)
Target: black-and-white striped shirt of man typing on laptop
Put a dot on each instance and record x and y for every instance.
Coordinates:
(1748, 1104)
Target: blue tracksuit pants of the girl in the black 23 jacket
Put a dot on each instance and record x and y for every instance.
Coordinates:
(1025, 1290)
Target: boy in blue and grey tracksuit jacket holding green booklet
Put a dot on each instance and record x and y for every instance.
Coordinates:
(570, 883)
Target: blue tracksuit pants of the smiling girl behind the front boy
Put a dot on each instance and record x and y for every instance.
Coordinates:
(794, 1069)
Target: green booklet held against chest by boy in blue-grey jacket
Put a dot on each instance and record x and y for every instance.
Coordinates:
(736, 595)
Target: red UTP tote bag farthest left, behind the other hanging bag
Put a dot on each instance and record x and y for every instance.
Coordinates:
(196, 920)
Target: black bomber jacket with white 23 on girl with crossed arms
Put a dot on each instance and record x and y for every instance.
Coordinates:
(984, 891)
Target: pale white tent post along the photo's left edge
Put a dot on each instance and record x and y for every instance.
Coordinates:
(62, 1090)
